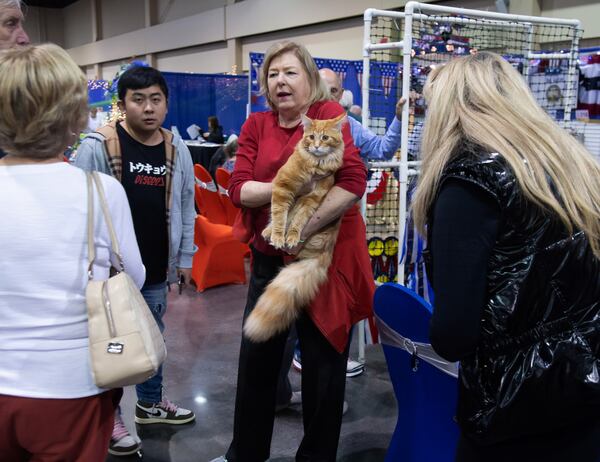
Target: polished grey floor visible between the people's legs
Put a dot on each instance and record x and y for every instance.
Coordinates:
(203, 337)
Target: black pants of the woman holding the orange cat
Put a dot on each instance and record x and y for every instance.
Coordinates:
(323, 384)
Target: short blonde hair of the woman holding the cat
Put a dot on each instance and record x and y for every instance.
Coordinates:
(318, 90)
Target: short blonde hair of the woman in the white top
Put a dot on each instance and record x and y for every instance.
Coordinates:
(43, 101)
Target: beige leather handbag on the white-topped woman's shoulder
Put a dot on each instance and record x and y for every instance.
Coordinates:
(126, 346)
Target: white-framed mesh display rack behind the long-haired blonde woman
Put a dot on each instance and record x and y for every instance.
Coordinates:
(543, 50)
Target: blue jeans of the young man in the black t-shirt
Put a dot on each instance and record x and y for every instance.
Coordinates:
(156, 298)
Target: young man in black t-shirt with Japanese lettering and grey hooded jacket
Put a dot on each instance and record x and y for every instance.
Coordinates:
(156, 171)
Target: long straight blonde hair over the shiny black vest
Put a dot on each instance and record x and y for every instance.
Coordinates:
(481, 99)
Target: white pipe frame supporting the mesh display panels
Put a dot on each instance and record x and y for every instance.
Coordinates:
(407, 169)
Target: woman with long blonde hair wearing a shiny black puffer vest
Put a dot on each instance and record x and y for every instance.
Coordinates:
(511, 205)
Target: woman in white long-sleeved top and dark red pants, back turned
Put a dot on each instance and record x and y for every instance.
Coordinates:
(51, 408)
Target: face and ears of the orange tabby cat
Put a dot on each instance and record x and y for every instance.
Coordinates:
(322, 137)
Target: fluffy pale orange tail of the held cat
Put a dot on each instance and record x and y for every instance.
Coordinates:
(280, 304)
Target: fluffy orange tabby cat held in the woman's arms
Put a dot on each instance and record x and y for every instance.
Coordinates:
(317, 155)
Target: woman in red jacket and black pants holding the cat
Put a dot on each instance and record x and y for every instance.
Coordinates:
(290, 80)
